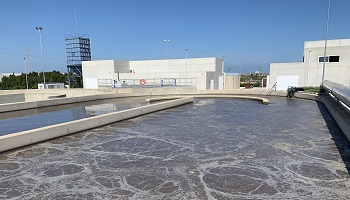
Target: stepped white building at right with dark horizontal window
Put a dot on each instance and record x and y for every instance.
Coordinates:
(309, 72)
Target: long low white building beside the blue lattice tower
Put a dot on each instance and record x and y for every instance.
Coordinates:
(202, 73)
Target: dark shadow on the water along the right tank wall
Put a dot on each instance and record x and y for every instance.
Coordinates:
(340, 140)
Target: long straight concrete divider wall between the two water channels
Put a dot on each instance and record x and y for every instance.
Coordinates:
(20, 139)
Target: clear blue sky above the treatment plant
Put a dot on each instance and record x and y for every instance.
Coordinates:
(250, 33)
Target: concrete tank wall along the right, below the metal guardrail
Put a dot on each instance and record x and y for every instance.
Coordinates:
(341, 117)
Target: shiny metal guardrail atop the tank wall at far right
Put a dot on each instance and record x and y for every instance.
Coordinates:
(340, 92)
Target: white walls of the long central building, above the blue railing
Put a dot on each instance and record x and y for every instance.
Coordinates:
(198, 70)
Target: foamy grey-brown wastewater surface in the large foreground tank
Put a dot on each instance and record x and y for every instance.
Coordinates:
(212, 149)
